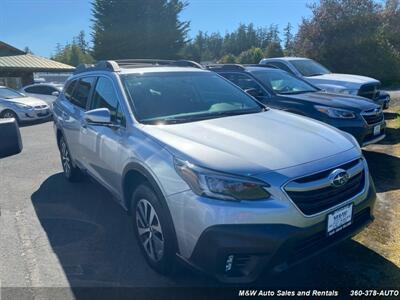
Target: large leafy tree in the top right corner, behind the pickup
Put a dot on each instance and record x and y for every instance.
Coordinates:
(353, 36)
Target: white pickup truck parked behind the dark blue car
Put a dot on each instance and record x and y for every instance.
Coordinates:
(321, 77)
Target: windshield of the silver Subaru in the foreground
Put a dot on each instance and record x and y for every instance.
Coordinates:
(185, 97)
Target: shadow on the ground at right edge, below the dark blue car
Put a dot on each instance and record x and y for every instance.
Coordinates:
(384, 169)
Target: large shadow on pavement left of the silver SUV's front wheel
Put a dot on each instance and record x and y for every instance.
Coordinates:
(93, 238)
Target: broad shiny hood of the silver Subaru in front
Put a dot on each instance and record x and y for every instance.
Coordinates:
(251, 144)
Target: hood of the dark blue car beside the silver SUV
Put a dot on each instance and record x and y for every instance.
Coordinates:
(353, 103)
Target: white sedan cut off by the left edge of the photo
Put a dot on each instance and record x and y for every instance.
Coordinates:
(14, 104)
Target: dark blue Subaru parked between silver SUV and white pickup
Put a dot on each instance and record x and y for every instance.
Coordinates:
(278, 89)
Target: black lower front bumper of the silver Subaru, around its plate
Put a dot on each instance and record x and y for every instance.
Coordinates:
(251, 248)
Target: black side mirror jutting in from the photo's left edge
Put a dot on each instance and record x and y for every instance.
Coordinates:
(10, 138)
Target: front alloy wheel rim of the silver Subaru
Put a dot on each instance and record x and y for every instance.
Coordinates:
(149, 230)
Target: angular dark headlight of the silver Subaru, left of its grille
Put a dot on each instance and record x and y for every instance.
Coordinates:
(205, 182)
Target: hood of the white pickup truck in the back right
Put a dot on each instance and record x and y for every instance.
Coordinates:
(345, 80)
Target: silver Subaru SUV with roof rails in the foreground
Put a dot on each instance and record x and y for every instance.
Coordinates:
(209, 175)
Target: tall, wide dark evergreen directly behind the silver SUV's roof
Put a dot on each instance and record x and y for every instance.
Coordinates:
(138, 29)
